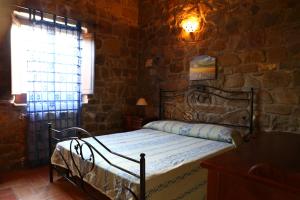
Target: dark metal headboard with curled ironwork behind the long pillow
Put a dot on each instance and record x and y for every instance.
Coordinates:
(202, 94)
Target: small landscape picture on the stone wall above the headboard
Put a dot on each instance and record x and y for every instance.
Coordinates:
(203, 68)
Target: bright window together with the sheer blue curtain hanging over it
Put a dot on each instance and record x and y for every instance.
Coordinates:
(53, 64)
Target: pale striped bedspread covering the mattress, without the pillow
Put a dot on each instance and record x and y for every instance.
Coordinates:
(172, 164)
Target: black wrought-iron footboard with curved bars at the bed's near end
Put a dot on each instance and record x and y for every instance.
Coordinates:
(79, 143)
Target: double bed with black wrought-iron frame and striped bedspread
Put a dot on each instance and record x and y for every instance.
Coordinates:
(159, 161)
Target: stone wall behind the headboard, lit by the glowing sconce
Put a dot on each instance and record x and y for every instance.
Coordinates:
(256, 43)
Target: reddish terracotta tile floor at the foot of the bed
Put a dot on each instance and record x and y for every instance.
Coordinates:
(33, 184)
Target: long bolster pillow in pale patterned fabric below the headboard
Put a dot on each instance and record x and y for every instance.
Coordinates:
(205, 131)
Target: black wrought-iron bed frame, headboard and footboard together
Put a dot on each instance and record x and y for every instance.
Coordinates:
(193, 95)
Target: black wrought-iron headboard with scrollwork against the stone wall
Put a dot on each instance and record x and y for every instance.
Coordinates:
(200, 96)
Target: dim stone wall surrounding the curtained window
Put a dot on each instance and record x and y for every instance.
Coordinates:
(115, 24)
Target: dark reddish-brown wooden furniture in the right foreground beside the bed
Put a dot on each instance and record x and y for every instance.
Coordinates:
(267, 167)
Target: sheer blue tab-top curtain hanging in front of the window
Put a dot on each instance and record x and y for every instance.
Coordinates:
(53, 77)
